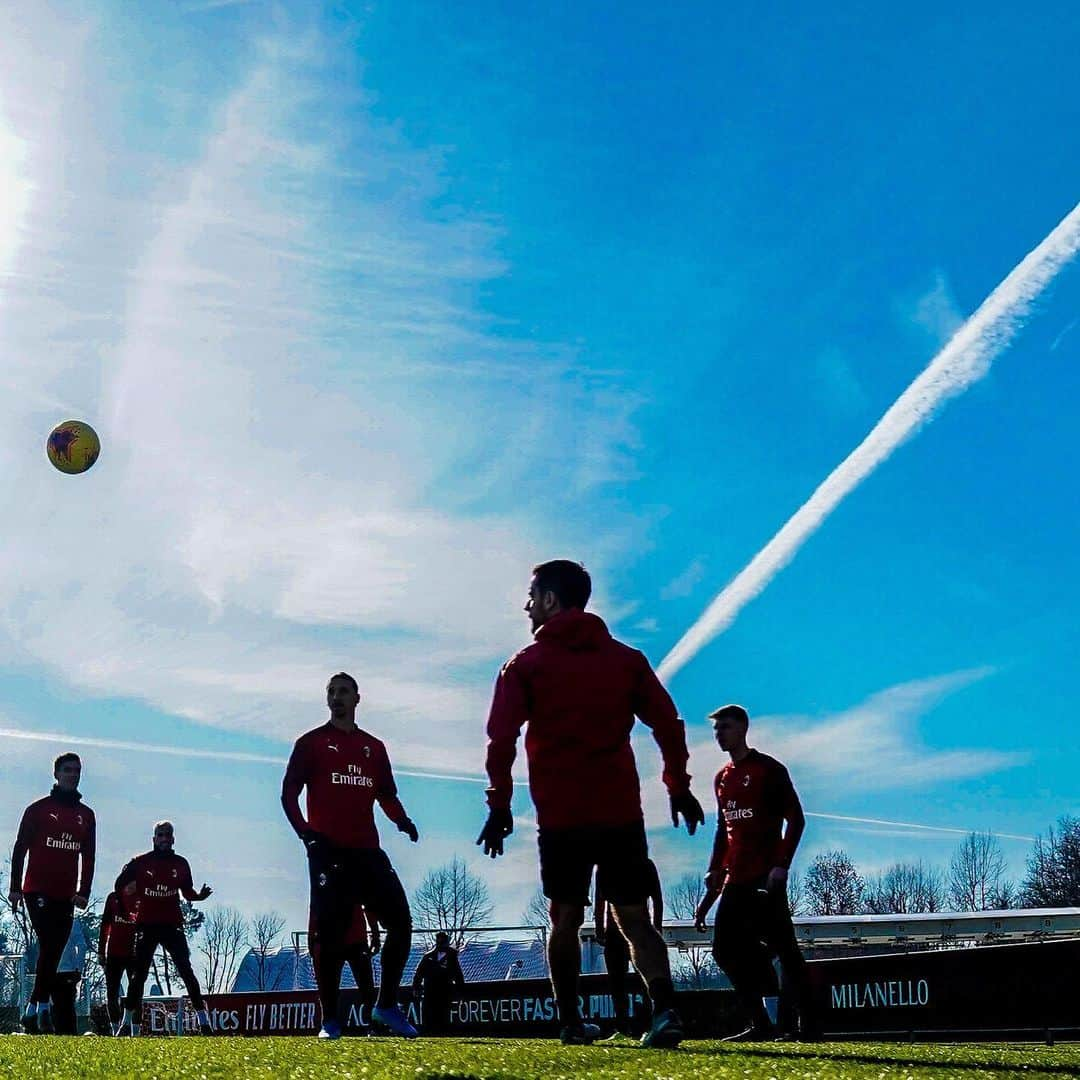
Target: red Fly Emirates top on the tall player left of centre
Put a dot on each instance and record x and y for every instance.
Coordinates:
(345, 774)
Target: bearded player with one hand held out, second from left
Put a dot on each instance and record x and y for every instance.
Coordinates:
(153, 885)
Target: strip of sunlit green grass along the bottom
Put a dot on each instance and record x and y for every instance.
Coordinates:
(194, 1059)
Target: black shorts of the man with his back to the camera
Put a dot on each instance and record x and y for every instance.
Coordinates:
(620, 855)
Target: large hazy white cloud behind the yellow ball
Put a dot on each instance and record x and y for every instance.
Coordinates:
(281, 348)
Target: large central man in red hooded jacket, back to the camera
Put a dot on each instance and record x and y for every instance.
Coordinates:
(579, 690)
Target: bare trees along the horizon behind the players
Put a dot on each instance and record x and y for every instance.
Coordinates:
(452, 898)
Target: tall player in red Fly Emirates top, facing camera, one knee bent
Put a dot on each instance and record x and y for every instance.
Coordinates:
(346, 772)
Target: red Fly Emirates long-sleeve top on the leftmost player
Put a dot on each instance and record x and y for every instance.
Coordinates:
(57, 833)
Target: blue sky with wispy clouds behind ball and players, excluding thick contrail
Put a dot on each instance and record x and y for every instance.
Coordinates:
(376, 307)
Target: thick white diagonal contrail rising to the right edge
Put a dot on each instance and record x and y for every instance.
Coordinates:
(965, 360)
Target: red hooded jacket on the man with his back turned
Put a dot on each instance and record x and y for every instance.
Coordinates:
(579, 690)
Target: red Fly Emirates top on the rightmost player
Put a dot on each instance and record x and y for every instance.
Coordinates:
(754, 799)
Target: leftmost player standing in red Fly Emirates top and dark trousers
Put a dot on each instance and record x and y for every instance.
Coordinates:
(57, 834)
